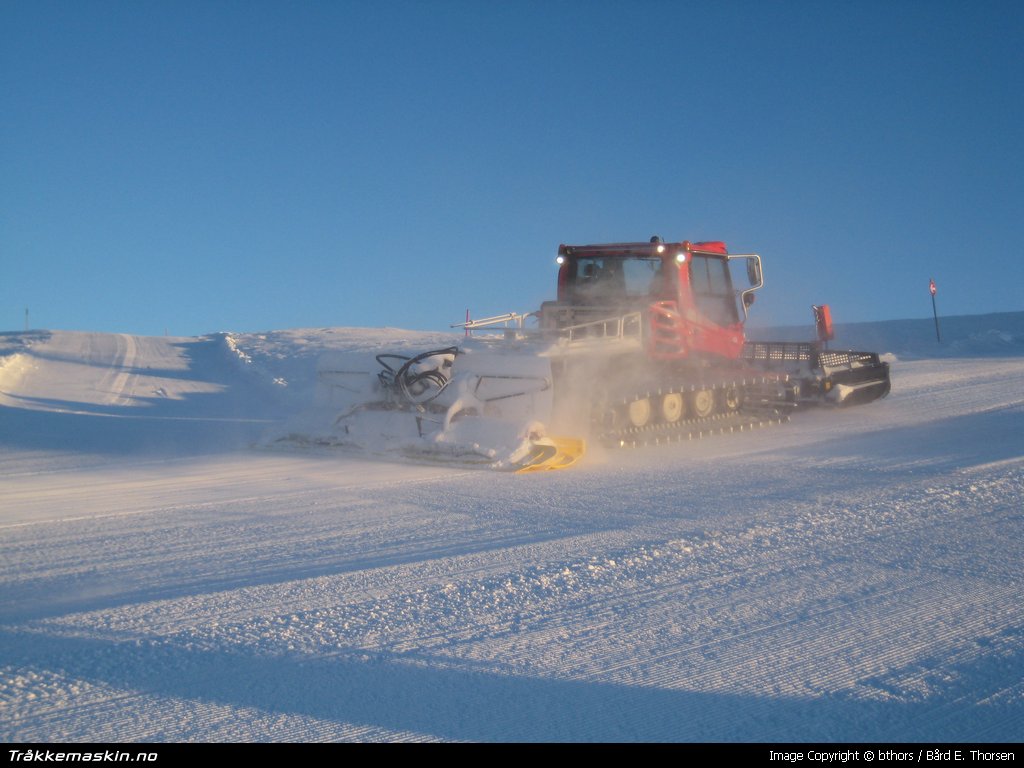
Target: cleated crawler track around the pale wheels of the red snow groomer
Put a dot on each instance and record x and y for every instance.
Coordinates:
(754, 415)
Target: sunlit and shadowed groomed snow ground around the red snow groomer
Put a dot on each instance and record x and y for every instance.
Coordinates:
(855, 575)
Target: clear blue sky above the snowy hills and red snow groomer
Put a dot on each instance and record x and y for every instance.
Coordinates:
(193, 167)
